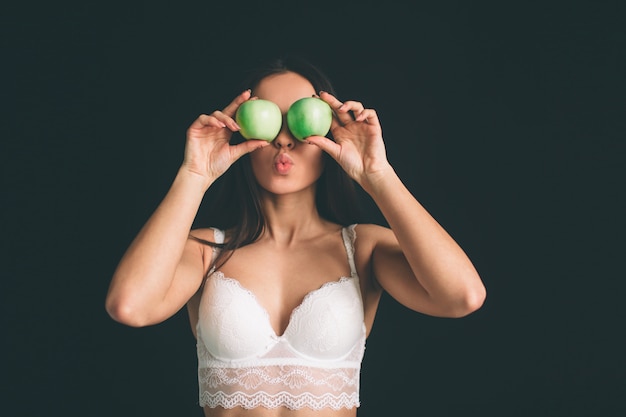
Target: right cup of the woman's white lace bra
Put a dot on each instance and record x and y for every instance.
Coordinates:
(329, 322)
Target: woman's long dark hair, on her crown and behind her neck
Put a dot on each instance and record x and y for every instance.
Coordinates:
(234, 202)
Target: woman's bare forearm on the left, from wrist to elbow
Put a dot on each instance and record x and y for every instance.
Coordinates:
(146, 270)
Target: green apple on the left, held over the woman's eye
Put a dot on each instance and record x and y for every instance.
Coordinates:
(259, 119)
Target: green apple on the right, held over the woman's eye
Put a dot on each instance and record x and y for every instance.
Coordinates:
(309, 116)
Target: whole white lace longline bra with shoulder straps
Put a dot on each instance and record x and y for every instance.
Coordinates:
(316, 362)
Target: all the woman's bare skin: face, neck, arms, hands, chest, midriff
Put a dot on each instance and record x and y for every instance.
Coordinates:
(415, 260)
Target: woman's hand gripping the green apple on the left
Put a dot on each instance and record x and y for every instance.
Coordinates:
(208, 151)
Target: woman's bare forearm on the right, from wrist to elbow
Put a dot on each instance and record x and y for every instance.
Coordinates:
(437, 261)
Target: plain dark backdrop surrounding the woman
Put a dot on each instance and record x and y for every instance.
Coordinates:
(505, 119)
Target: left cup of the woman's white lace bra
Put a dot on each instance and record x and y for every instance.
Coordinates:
(232, 325)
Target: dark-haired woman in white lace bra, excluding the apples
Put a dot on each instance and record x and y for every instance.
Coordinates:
(282, 290)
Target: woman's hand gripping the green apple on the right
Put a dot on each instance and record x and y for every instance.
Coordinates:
(358, 145)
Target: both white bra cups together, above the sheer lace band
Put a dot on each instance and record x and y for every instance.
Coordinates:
(326, 326)
